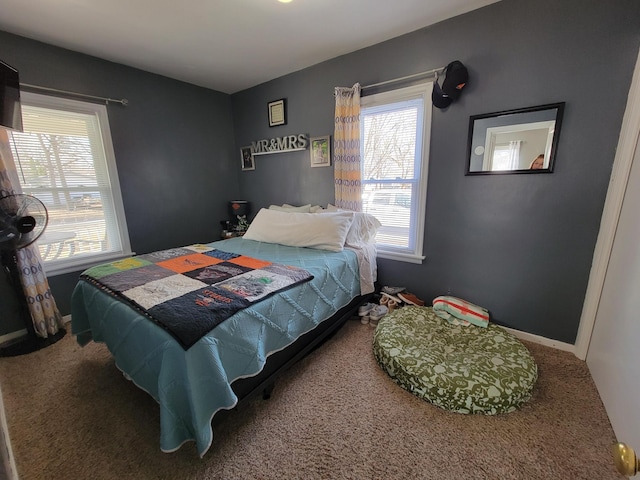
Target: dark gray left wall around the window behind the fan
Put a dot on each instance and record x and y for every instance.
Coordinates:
(173, 144)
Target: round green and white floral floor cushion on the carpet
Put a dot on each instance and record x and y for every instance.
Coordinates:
(462, 369)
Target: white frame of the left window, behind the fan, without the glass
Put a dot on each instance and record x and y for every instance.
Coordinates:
(62, 266)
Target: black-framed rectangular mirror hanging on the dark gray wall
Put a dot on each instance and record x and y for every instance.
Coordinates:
(514, 141)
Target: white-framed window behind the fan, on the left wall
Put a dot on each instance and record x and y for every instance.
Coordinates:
(65, 158)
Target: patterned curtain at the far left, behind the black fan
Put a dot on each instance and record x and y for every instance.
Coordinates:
(45, 315)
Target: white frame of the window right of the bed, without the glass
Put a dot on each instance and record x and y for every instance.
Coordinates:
(422, 90)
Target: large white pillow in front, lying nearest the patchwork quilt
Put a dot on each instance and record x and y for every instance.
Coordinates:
(326, 231)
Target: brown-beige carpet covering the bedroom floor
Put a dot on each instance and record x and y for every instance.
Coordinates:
(72, 415)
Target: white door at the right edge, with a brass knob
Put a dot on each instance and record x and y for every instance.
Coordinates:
(614, 352)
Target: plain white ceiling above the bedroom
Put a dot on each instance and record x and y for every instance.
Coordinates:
(226, 45)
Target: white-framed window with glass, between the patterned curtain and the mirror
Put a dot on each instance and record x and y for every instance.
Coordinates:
(395, 133)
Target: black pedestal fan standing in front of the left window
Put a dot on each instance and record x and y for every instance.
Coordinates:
(23, 219)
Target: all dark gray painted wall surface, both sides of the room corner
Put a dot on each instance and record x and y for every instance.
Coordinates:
(520, 245)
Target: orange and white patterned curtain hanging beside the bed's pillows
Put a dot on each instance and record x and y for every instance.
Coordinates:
(346, 149)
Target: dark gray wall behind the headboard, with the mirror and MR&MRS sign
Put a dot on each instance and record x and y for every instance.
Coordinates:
(520, 245)
